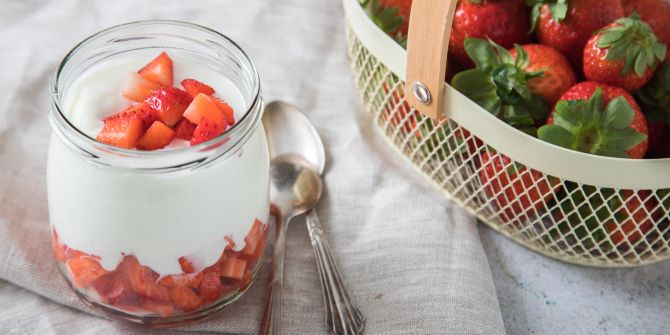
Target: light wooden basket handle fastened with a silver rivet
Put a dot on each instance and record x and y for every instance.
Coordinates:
(427, 44)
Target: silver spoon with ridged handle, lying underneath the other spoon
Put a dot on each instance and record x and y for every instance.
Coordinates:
(289, 131)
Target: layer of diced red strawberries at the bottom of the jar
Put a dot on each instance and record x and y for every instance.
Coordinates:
(136, 290)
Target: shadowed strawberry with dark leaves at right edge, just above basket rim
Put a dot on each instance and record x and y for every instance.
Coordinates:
(655, 101)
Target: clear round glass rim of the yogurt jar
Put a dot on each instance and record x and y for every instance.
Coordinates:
(236, 131)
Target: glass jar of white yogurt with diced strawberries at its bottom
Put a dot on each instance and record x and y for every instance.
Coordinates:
(159, 237)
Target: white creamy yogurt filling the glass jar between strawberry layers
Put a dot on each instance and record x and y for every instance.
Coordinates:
(157, 218)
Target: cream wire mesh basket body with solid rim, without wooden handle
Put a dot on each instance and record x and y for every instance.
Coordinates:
(575, 207)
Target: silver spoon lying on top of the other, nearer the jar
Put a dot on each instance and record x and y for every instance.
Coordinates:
(295, 188)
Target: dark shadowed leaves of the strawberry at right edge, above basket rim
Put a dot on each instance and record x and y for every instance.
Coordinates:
(655, 96)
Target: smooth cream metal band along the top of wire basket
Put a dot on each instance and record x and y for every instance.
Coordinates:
(620, 173)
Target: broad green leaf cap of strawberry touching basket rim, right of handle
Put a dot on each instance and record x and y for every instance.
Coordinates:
(584, 126)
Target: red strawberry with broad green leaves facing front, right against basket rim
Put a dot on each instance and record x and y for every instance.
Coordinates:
(598, 119)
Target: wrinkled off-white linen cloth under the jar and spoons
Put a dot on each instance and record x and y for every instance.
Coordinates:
(412, 260)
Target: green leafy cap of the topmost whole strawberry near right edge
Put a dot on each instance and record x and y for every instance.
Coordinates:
(632, 40)
